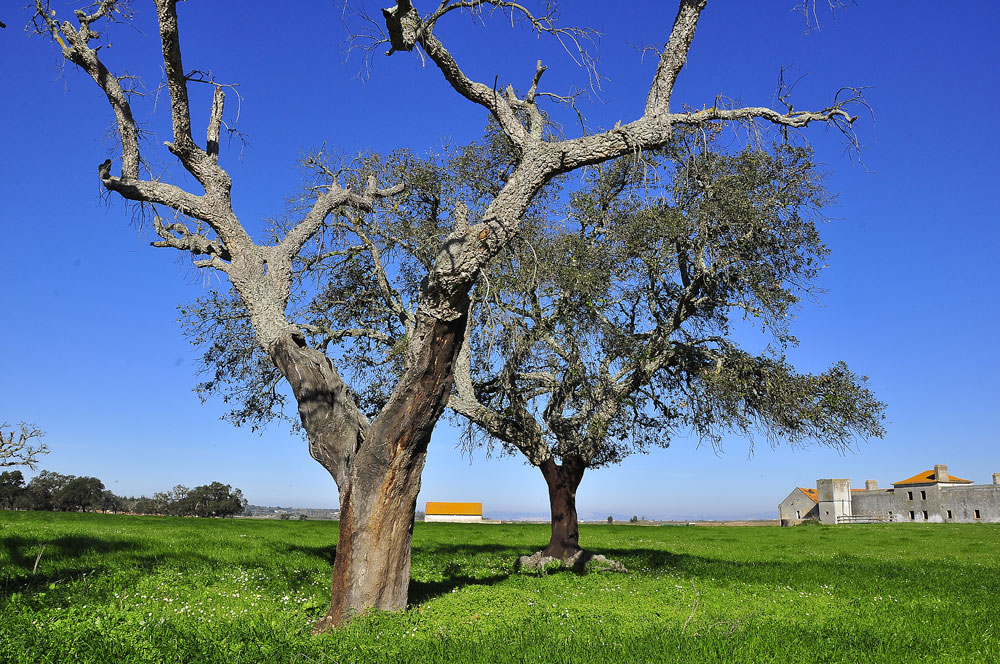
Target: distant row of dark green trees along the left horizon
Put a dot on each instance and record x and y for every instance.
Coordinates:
(50, 491)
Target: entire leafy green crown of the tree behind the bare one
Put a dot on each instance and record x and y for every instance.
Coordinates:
(604, 328)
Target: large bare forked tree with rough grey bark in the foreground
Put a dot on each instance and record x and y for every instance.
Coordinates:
(376, 462)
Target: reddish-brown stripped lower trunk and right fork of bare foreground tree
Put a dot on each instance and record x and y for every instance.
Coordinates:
(379, 493)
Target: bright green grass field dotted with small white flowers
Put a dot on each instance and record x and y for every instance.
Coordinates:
(152, 589)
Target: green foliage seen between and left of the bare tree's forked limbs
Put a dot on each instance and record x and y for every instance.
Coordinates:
(338, 298)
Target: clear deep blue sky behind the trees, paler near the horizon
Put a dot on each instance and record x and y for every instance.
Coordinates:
(92, 354)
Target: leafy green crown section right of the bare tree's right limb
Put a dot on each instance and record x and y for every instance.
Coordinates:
(614, 323)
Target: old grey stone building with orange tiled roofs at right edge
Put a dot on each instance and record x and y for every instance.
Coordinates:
(933, 496)
